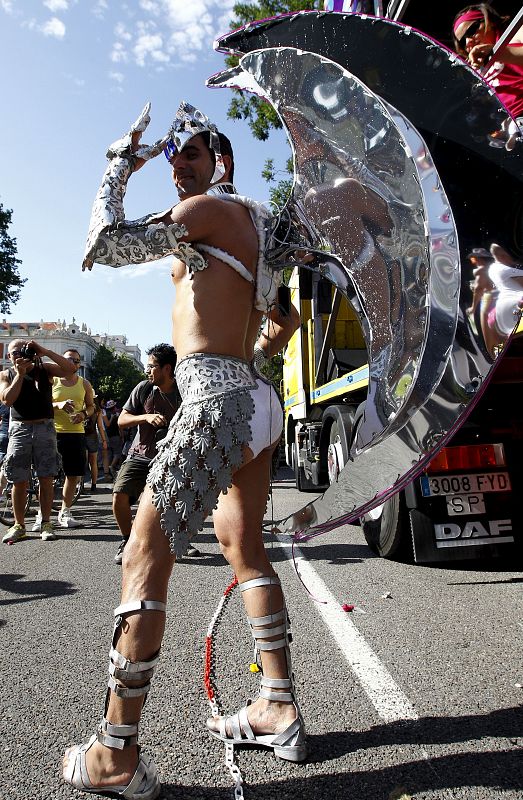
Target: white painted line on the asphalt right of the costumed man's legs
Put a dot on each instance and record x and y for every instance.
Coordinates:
(385, 695)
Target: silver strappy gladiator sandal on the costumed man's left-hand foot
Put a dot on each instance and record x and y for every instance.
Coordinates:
(145, 784)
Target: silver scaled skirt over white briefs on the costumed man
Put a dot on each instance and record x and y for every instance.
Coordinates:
(224, 409)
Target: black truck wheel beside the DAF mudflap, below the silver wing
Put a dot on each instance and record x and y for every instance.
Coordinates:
(387, 532)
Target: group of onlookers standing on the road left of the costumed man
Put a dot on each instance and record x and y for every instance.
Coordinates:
(58, 425)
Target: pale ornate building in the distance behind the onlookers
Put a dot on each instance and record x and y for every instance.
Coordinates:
(60, 336)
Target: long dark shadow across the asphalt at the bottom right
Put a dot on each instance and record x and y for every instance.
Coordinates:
(493, 770)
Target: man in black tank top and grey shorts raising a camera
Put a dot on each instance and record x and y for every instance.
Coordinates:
(27, 388)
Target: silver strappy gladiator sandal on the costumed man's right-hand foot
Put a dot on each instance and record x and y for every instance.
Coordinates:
(290, 744)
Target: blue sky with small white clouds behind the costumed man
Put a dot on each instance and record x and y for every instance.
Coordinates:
(75, 75)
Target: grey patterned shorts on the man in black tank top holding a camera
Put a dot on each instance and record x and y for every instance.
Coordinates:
(31, 443)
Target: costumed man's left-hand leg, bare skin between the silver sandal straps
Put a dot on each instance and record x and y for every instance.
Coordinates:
(146, 568)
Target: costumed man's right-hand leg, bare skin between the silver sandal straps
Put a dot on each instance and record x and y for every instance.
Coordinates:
(238, 526)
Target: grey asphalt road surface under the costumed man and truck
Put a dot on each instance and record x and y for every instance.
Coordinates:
(415, 693)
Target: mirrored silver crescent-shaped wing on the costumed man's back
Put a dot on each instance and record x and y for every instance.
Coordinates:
(358, 160)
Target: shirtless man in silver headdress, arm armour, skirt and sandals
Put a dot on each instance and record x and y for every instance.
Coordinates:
(222, 439)
